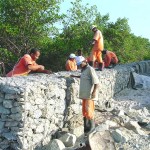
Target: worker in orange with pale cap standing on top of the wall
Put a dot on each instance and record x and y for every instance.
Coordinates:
(98, 46)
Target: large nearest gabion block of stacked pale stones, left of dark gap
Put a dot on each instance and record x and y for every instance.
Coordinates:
(31, 109)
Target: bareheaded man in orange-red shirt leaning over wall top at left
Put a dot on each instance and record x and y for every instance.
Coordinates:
(27, 63)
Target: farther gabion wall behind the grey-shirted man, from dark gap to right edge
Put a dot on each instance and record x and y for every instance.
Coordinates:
(112, 81)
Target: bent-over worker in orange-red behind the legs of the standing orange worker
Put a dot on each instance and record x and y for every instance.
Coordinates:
(110, 58)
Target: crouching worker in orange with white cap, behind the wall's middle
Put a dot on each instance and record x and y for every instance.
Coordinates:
(71, 63)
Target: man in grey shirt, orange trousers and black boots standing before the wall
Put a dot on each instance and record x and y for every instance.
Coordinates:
(88, 92)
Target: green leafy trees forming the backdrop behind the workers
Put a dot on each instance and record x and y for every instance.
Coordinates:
(25, 24)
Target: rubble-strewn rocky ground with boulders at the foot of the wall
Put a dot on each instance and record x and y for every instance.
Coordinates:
(121, 124)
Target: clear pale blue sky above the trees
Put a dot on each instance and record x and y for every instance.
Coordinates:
(136, 11)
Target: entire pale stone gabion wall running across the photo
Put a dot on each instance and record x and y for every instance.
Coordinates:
(33, 108)
